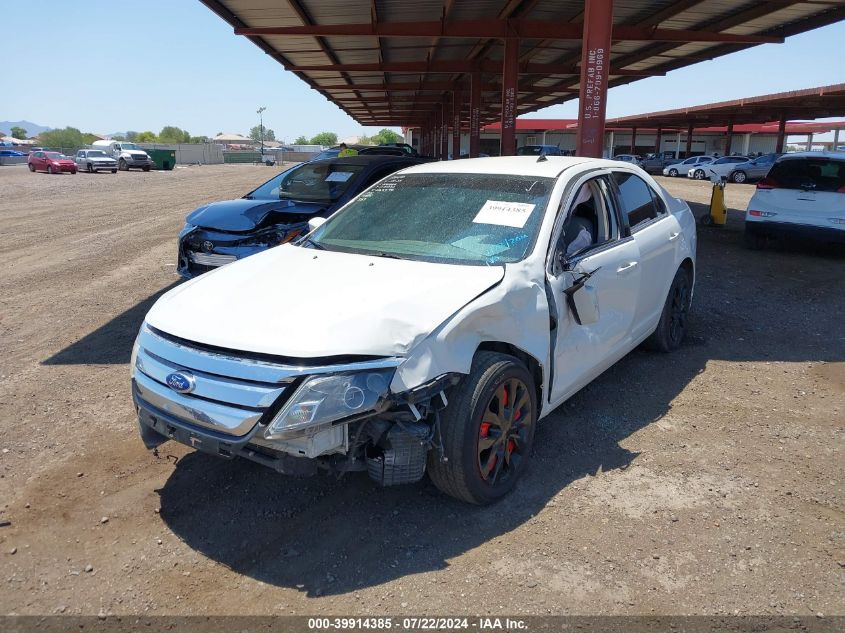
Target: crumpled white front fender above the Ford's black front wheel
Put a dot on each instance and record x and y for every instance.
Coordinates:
(515, 311)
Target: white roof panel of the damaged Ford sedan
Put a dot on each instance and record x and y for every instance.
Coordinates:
(551, 167)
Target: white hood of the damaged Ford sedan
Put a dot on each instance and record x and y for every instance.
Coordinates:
(304, 303)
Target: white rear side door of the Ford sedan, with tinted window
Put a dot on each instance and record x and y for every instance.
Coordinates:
(656, 233)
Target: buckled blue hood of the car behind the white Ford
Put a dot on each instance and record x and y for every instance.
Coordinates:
(244, 214)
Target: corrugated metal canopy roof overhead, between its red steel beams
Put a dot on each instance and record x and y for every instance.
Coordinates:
(336, 64)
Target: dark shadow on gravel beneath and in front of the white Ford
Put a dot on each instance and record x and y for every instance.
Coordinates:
(326, 536)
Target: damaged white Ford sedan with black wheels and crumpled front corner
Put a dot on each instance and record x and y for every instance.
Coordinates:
(425, 327)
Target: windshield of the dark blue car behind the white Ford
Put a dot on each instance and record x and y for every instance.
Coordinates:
(310, 182)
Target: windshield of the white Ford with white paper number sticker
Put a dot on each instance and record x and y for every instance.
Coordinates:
(476, 219)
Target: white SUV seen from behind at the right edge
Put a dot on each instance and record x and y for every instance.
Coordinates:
(803, 196)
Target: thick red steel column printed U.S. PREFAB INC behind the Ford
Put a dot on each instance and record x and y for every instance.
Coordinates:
(595, 63)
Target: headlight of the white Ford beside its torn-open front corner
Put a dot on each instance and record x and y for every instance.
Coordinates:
(324, 399)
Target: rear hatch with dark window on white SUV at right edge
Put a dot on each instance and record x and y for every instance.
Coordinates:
(805, 191)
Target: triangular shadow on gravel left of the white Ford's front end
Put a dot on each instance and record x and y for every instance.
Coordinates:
(111, 343)
